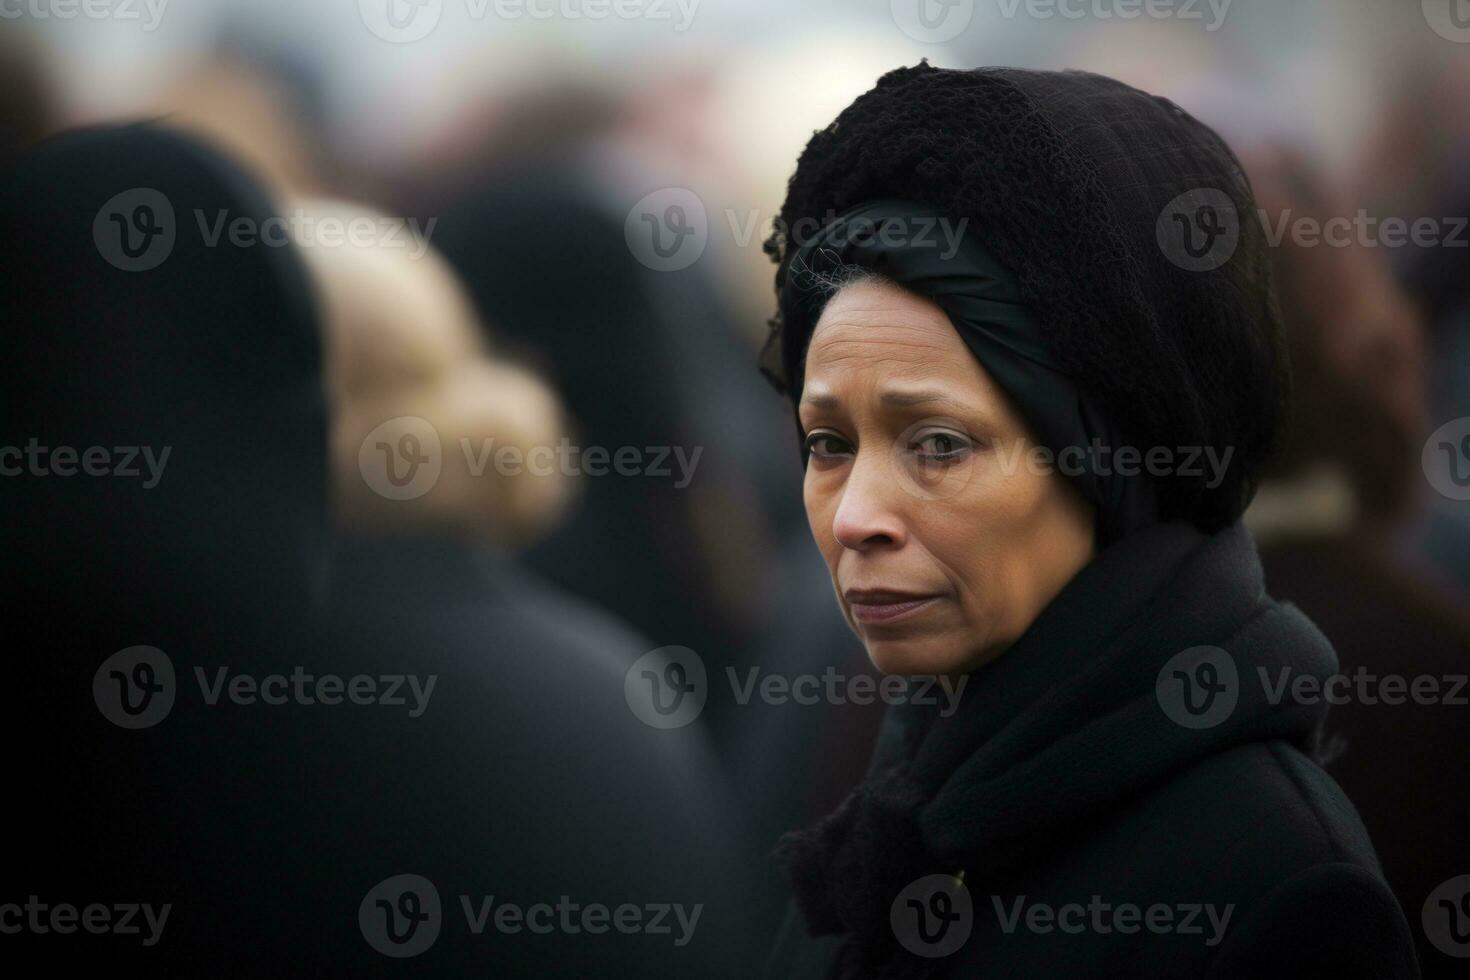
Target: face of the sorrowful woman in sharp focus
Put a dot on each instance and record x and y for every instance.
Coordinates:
(943, 541)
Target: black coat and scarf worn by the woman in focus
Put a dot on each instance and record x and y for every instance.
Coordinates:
(1084, 793)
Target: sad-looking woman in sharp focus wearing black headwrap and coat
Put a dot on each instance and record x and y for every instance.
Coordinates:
(1027, 327)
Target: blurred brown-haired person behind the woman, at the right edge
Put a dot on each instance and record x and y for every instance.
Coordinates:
(1328, 519)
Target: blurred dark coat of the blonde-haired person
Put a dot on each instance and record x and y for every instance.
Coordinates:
(530, 778)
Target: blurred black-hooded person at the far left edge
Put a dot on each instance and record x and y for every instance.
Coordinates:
(167, 534)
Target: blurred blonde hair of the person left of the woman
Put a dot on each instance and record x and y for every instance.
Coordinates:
(404, 343)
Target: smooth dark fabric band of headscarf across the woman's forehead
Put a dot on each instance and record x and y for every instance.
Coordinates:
(931, 253)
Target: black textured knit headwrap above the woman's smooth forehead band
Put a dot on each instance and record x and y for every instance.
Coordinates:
(1130, 230)
